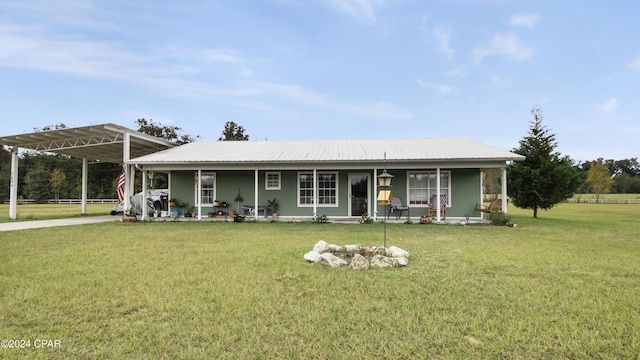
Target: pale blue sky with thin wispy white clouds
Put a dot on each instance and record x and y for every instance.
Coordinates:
(330, 69)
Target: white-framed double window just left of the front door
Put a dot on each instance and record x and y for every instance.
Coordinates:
(327, 187)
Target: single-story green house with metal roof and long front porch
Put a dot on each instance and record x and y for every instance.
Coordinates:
(336, 178)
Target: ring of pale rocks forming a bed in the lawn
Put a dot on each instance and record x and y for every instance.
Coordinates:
(357, 257)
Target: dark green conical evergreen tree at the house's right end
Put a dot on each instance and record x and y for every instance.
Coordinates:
(544, 178)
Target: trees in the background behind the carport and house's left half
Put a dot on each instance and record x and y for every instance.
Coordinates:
(47, 176)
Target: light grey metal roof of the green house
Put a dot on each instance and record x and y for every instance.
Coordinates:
(329, 151)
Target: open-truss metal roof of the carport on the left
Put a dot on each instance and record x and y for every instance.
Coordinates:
(97, 143)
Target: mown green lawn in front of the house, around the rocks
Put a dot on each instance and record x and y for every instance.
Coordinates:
(565, 285)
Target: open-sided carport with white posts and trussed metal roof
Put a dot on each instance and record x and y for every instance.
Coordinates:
(93, 144)
